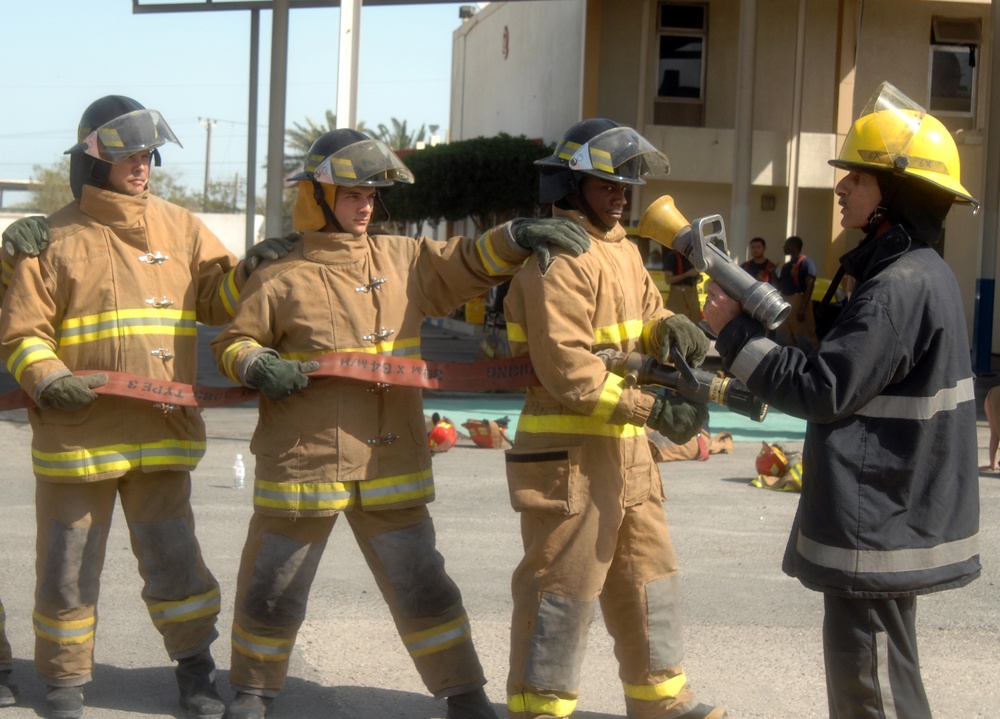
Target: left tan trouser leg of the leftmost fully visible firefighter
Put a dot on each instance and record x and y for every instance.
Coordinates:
(72, 530)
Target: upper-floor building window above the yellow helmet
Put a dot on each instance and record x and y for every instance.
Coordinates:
(952, 67)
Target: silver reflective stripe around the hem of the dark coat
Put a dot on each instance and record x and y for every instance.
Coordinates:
(870, 561)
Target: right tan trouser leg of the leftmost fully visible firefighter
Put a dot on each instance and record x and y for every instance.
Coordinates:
(181, 595)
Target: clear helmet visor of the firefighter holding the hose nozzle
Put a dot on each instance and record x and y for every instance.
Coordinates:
(620, 154)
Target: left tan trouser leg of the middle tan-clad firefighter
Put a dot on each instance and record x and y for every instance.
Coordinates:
(279, 563)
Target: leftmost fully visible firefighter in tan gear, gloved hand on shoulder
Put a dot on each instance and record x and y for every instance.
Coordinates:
(120, 287)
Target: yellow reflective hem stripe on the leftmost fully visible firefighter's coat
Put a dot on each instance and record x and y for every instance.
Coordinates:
(118, 457)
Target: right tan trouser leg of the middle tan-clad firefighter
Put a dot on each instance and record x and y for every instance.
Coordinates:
(426, 605)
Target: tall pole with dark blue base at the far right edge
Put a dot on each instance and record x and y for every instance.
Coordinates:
(982, 322)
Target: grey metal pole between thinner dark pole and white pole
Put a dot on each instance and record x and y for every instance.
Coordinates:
(276, 118)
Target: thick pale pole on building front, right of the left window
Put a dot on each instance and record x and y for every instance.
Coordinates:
(739, 220)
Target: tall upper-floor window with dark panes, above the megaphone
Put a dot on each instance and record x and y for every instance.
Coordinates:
(682, 30)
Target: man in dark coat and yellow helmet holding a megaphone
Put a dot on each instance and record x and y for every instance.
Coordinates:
(890, 492)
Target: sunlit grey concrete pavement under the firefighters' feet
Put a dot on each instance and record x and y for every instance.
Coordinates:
(752, 635)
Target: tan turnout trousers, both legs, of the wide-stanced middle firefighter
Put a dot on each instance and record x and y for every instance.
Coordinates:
(279, 563)
